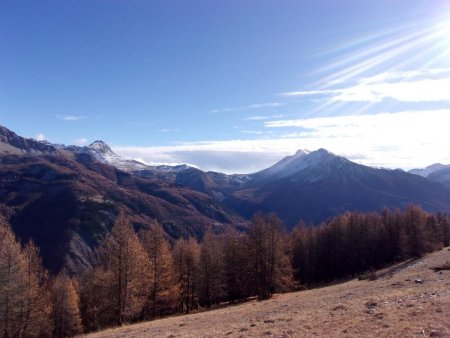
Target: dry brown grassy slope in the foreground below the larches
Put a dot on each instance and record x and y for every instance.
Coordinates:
(392, 306)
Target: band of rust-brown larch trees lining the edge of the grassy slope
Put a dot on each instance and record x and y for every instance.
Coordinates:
(142, 276)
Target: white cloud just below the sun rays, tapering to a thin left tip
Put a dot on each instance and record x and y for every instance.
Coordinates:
(425, 86)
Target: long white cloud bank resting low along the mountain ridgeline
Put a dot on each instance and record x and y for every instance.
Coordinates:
(394, 140)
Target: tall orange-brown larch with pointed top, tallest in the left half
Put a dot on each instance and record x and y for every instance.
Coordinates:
(127, 265)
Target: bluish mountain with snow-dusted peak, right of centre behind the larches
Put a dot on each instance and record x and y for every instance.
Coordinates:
(318, 185)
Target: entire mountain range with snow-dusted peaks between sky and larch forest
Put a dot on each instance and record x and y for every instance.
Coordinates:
(66, 198)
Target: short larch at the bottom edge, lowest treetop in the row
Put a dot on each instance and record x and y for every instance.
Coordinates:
(66, 311)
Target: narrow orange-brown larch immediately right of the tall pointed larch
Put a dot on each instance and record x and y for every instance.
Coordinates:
(161, 280)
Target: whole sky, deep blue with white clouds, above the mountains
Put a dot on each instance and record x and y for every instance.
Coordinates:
(231, 85)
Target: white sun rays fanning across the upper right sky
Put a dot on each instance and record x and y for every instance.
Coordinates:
(419, 46)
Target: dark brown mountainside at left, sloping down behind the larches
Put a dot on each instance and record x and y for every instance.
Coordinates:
(67, 202)
